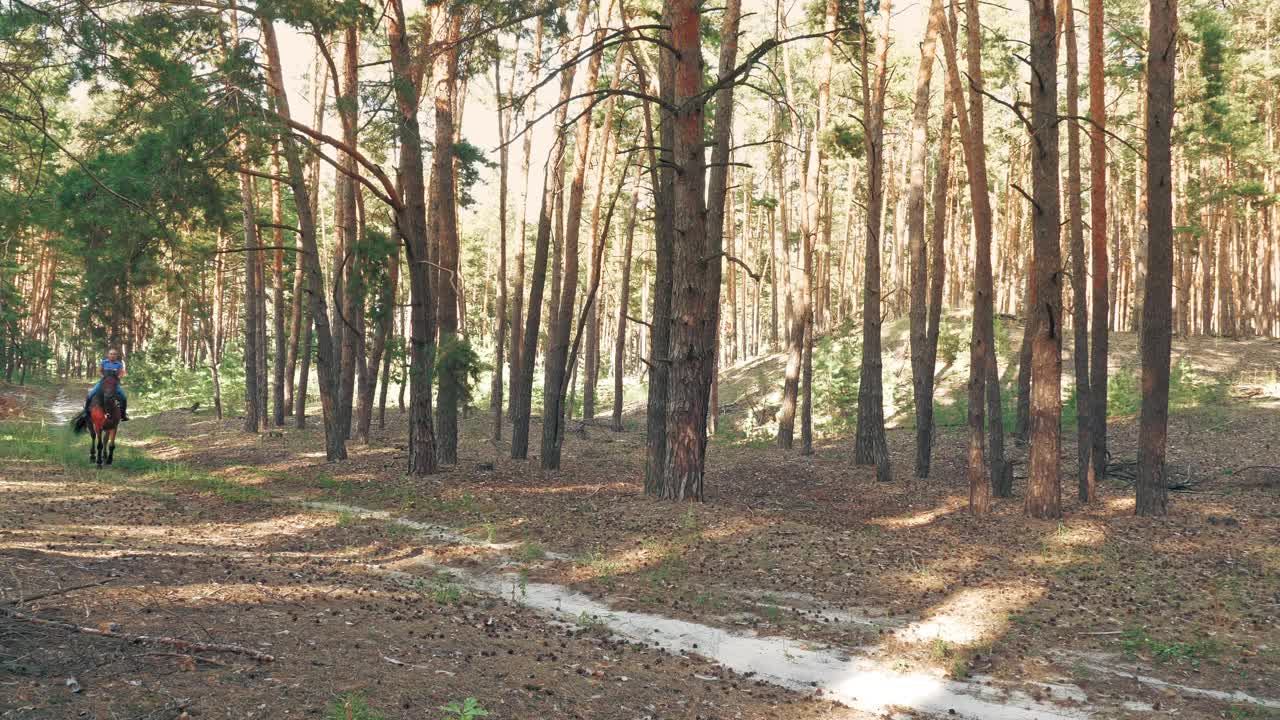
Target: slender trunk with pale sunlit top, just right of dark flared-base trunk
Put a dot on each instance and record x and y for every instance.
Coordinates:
(922, 361)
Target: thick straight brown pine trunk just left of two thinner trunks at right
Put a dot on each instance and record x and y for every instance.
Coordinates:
(1044, 484)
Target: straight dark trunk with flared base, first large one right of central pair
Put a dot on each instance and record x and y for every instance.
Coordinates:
(871, 446)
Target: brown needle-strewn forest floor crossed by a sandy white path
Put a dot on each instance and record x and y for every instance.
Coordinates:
(573, 595)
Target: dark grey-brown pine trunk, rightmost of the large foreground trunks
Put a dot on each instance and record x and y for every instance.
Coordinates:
(1156, 336)
